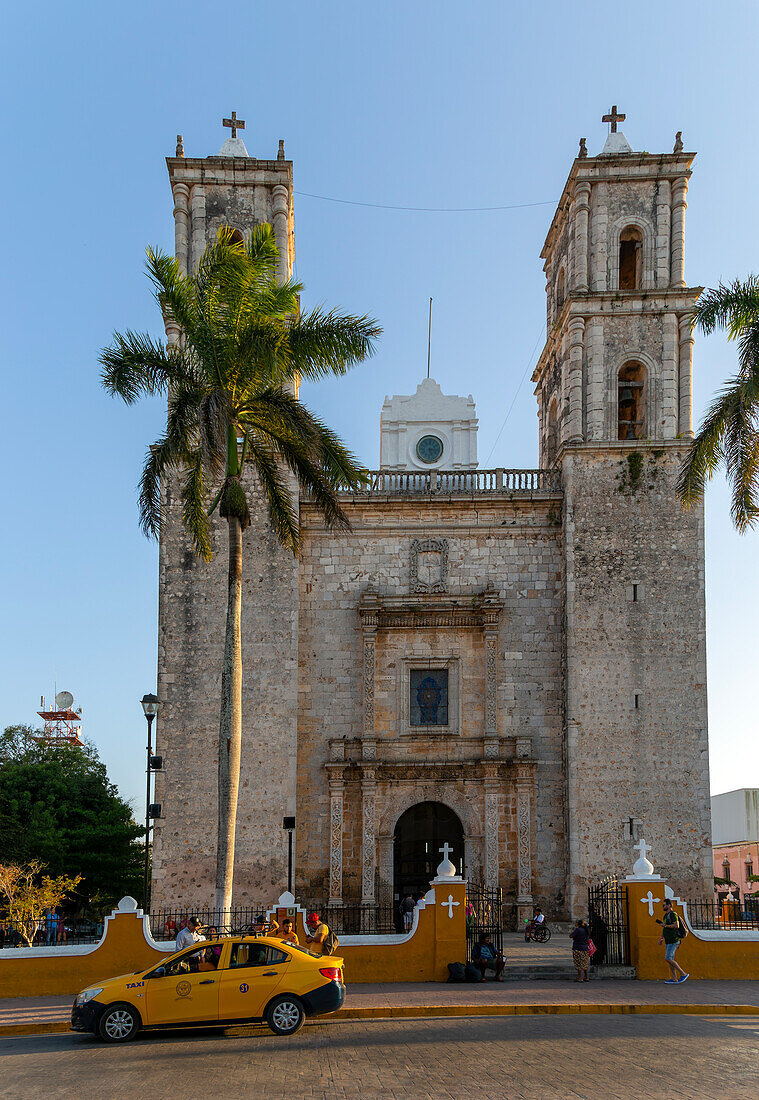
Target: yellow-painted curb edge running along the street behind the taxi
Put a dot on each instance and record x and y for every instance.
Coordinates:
(442, 1011)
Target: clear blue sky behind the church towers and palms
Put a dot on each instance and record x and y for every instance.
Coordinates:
(424, 105)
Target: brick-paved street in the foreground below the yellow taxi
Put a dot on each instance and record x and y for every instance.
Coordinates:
(610, 1058)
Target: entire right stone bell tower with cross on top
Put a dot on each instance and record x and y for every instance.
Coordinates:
(614, 386)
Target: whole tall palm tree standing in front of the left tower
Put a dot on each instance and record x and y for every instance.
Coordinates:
(232, 384)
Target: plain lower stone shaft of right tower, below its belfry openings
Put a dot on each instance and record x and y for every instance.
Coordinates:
(636, 666)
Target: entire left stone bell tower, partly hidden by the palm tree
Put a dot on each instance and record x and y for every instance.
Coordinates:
(239, 191)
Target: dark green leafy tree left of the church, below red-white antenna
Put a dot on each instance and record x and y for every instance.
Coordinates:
(59, 808)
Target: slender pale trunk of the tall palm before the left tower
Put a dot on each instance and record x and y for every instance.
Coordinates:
(230, 724)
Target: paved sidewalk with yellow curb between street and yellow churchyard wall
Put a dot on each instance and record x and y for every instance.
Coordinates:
(51, 1015)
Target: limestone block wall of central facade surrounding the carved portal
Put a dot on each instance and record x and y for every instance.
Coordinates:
(514, 546)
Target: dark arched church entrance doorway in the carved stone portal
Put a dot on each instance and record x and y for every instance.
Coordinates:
(420, 834)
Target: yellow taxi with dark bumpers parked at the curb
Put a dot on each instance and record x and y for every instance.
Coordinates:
(232, 981)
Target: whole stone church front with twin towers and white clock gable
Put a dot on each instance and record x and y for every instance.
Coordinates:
(509, 662)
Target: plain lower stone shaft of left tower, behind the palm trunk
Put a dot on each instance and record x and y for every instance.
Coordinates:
(192, 618)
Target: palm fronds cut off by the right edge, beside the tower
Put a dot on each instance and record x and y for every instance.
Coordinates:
(730, 434)
